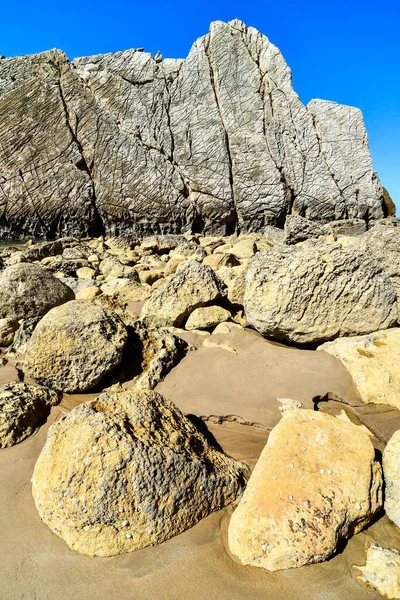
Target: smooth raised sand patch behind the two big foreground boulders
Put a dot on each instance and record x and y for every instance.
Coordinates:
(214, 381)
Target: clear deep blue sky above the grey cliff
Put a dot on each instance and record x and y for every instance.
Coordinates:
(346, 51)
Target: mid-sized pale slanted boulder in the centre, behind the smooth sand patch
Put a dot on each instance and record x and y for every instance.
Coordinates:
(194, 285)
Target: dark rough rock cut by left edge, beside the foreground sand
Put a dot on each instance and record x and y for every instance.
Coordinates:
(23, 408)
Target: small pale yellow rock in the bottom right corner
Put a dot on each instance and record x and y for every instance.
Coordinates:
(381, 572)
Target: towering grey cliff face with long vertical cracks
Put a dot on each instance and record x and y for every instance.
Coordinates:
(218, 142)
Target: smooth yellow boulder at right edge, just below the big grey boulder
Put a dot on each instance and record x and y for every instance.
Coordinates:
(373, 362)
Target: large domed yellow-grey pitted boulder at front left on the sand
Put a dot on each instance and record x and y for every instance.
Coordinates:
(139, 474)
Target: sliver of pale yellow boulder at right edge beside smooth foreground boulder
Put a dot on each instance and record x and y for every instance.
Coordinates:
(391, 472)
